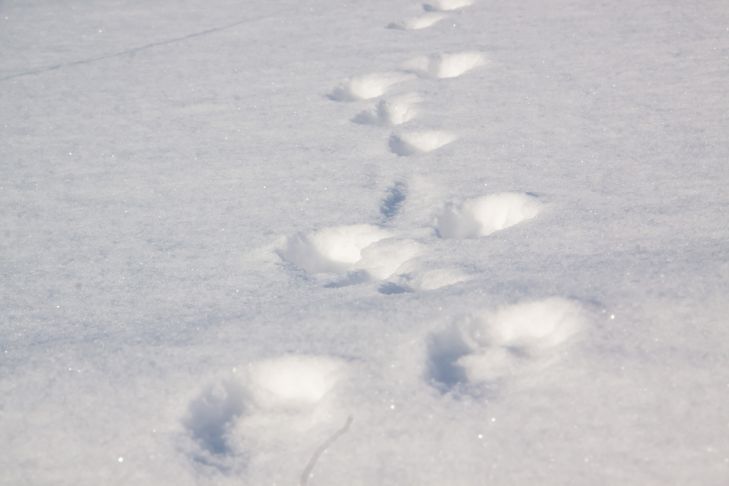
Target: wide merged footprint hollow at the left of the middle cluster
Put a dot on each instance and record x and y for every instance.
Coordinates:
(361, 251)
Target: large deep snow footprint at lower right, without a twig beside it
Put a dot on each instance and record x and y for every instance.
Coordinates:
(483, 349)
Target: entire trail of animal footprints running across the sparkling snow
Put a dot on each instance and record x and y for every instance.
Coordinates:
(297, 395)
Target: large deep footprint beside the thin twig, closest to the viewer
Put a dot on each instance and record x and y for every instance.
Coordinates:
(269, 399)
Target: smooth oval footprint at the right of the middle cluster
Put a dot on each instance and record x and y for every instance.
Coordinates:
(484, 215)
